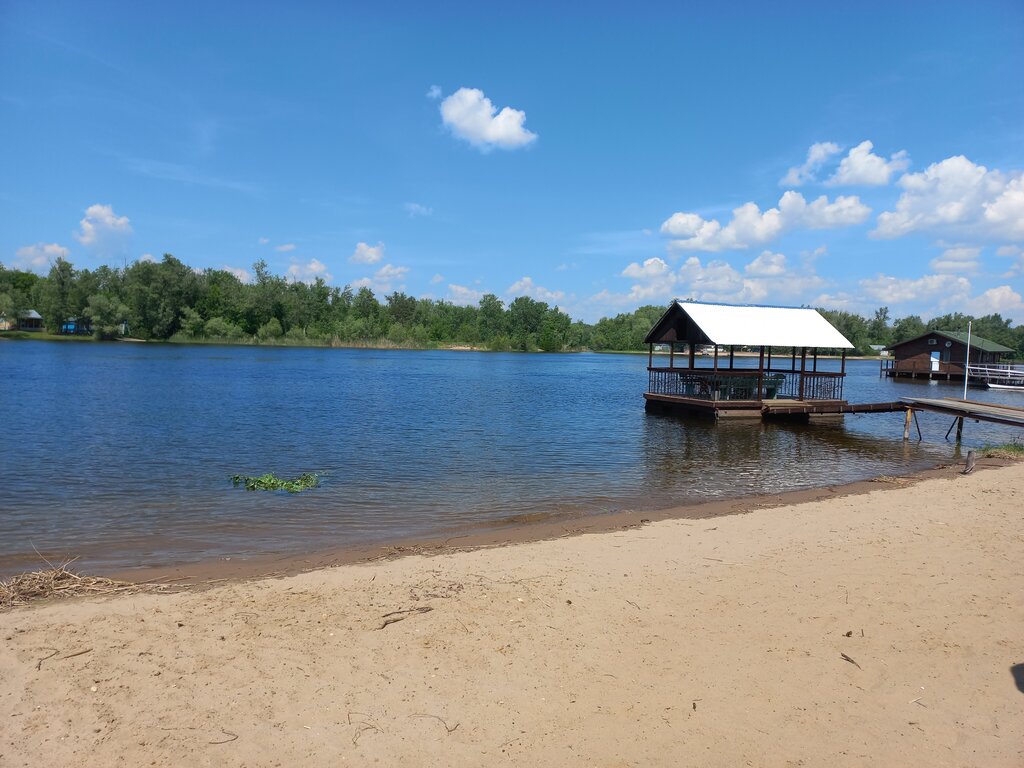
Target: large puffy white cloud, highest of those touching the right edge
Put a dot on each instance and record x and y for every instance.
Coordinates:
(957, 196)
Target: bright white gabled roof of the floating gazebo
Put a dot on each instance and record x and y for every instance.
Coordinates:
(726, 325)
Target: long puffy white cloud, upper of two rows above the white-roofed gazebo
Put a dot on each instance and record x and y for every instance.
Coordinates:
(751, 227)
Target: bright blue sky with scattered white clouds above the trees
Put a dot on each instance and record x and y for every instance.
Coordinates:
(598, 157)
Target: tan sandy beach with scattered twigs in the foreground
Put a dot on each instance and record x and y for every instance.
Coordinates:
(884, 628)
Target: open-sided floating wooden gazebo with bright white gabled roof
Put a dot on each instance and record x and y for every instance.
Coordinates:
(788, 378)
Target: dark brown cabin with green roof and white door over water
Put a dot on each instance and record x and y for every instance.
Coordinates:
(941, 355)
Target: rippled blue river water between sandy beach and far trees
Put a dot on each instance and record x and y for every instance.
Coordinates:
(121, 453)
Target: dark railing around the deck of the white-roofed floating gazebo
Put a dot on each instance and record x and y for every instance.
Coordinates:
(743, 386)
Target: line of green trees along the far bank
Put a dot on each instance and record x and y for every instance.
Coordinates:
(169, 302)
